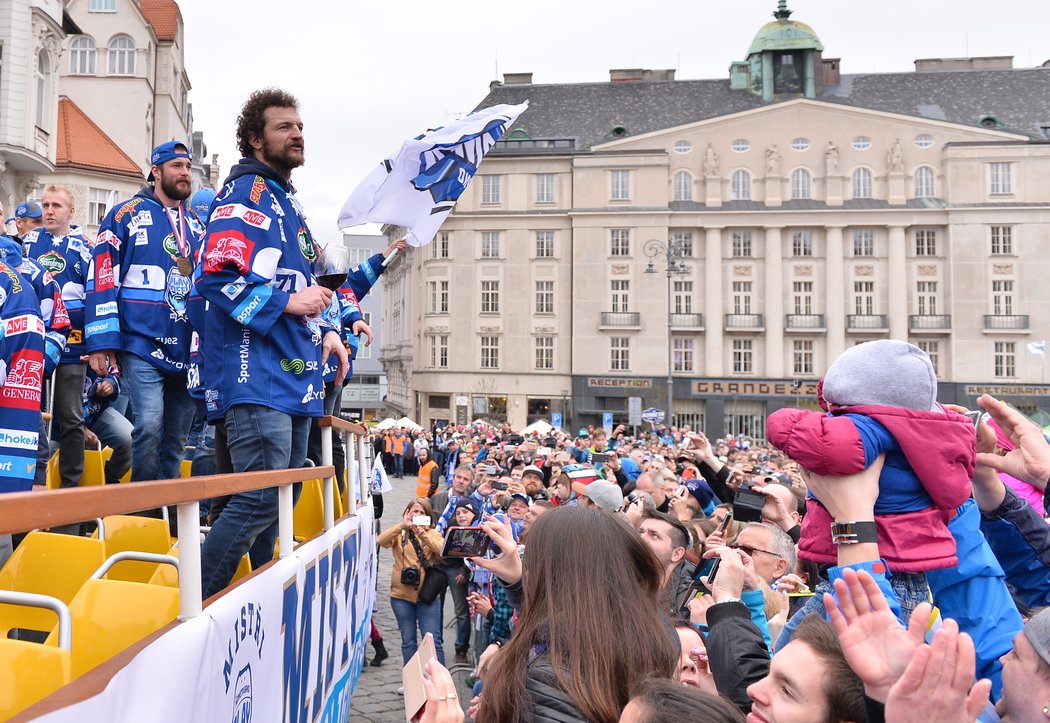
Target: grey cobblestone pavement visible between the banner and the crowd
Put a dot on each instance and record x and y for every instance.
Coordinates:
(376, 699)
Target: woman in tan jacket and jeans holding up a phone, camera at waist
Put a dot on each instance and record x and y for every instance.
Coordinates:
(409, 540)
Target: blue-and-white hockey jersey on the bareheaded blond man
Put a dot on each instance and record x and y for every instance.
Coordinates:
(68, 259)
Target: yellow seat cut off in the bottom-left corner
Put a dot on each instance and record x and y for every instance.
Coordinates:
(32, 672)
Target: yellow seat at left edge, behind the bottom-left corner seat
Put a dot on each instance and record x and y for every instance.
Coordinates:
(47, 564)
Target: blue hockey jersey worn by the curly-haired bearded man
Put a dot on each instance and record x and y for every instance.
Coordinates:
(259, 253)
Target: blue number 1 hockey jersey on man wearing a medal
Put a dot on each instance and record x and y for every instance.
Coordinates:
(137, 295)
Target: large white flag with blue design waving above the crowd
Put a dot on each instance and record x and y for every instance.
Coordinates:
(418, 187)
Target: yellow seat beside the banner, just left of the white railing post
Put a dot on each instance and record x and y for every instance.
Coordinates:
(111, 615)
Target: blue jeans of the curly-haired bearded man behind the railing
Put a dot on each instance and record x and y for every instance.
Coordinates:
(259, 439)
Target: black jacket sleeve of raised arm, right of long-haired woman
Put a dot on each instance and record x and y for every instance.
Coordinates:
(737, 652)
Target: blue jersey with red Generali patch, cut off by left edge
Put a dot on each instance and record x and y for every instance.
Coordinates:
(22, 380)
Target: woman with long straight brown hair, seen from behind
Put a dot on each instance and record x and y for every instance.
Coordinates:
(591, 629)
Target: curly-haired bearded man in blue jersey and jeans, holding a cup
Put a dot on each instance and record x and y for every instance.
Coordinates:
(263, 346)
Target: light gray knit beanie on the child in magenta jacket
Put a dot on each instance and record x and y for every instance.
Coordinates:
(887, 373)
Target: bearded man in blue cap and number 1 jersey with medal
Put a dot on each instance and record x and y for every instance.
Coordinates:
(137, 296)
